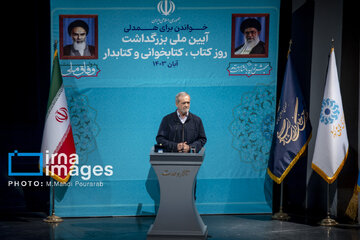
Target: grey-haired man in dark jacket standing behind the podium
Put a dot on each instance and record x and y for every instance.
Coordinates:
(181, 130)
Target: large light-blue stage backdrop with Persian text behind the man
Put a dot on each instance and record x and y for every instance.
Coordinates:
(141, 53)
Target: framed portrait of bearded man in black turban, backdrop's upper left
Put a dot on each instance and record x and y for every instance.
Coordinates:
(78, 36)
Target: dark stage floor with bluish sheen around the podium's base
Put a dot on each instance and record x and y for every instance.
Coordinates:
(220, 227)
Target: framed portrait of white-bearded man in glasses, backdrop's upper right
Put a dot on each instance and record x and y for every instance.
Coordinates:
(250, 35)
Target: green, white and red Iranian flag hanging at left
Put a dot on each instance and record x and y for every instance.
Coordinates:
(58, 143)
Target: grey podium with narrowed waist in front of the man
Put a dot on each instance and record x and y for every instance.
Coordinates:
(177, 217)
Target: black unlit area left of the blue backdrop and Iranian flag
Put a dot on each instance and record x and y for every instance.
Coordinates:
(24, 93)
